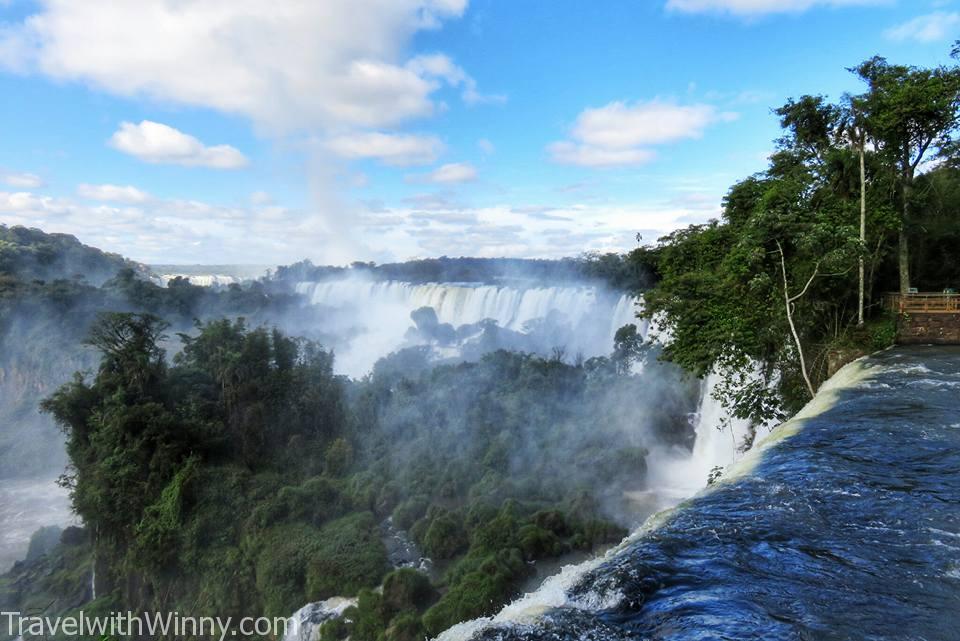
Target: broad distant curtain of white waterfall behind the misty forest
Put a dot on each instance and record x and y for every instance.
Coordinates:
(382, 310)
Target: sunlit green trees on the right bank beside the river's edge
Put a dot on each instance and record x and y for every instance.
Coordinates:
(793, 232)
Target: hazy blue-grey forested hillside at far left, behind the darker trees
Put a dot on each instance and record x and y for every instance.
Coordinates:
(51, 289)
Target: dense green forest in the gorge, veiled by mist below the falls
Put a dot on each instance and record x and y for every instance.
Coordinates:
(245, 476)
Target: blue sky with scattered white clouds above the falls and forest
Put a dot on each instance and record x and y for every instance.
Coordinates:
(248, 132)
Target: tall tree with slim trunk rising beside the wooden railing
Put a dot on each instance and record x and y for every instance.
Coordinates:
(911, 111)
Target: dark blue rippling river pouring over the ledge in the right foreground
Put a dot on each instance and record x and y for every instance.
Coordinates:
(844, 524)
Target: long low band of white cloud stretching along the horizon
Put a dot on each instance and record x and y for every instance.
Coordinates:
(173, 230)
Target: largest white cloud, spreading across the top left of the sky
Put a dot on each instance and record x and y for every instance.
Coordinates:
(286, 66)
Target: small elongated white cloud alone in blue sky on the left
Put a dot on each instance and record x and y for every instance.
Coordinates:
(155, 142)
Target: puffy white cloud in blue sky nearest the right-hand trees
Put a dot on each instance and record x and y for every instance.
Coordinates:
(621, 133)
